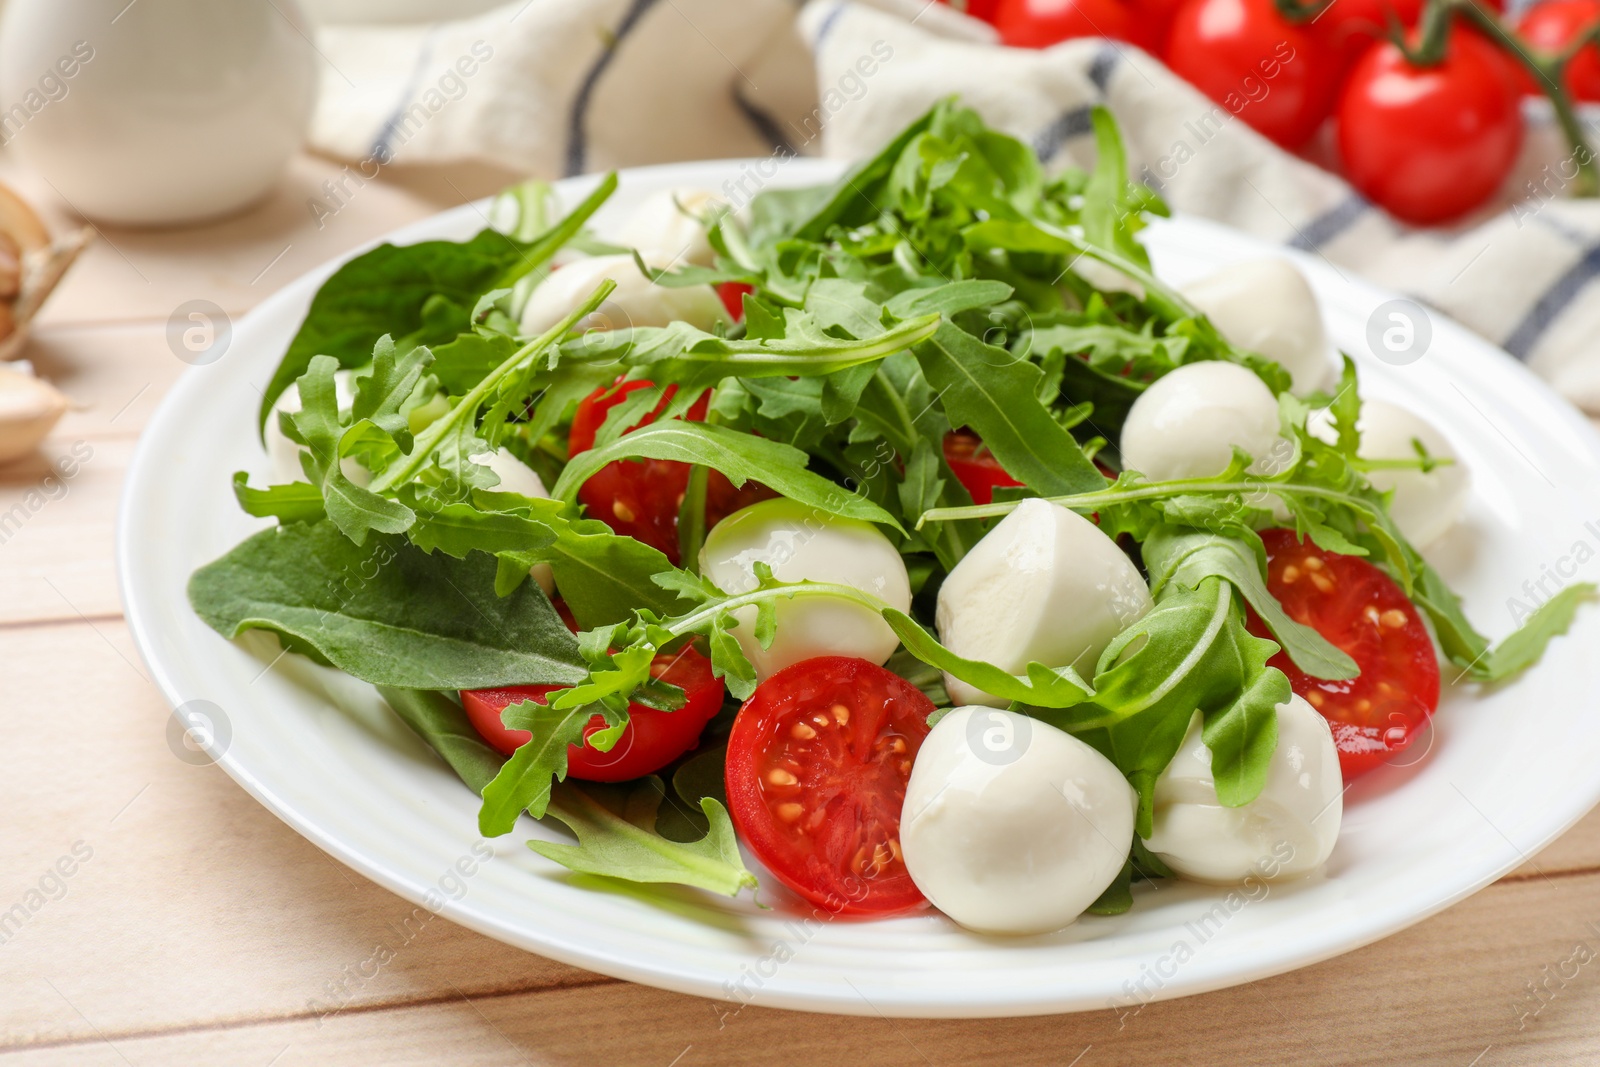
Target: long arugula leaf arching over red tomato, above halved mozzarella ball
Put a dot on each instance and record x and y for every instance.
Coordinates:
(738, 457)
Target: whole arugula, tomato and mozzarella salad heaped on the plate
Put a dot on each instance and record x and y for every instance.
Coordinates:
(906, 532)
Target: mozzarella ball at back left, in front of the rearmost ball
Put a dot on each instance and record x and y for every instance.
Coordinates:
(638, 302)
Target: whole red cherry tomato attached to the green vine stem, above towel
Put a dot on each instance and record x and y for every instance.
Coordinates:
(1430, 145)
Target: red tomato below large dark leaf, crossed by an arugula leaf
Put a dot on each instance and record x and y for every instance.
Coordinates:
(650, 741)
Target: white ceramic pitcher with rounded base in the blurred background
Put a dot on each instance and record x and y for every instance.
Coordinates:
(156, 113)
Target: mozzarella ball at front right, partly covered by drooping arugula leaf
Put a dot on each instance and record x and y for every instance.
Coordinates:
(1286, 833)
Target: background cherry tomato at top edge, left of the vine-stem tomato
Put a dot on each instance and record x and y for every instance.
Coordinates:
(1278, 76)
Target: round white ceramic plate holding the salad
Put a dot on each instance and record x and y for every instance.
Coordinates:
(1506, 772)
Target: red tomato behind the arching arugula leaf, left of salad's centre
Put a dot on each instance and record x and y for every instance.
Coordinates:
(641, 498)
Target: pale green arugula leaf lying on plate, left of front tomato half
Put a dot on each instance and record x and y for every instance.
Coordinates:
(618, 839)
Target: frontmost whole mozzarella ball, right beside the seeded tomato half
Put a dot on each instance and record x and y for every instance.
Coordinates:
(1012, 826)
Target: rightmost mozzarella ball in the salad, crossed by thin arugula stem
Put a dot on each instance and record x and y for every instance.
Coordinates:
(1425, 506)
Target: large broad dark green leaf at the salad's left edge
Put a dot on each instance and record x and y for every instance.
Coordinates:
(386, 612)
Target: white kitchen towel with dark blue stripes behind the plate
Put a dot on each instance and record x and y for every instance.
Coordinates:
(561, 87)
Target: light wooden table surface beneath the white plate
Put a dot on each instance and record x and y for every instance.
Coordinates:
(196, 929)
